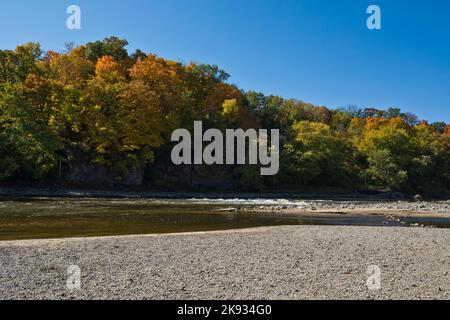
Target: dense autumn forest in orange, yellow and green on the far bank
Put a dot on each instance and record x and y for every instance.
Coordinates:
(96, 114)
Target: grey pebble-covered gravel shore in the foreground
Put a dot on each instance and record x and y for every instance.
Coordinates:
(299, 262)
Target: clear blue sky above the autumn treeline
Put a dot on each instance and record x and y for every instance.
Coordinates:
(319, 51)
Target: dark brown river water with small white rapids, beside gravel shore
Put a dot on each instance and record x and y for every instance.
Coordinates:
(41, 218)
